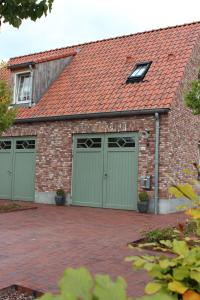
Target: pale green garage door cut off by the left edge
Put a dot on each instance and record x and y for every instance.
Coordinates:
(17, 168)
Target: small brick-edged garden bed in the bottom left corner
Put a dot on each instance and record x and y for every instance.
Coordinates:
(16, 292)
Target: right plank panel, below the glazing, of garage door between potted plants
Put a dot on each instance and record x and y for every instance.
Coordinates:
(121, 180)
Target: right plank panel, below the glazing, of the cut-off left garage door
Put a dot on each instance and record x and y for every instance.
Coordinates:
(23, 182)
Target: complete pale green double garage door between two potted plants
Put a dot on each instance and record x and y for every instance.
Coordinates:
(105, 170)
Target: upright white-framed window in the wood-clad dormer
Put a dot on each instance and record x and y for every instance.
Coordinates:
(24, 87)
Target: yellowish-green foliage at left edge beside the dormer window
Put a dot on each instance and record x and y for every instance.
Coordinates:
(7, 115)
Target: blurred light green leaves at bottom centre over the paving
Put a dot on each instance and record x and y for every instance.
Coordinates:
(79, 284)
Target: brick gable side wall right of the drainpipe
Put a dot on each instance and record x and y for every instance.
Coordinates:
(184, 127)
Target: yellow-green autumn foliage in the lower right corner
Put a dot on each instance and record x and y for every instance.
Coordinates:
(179, 274)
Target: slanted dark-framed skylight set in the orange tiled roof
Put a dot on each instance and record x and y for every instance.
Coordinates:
(139, 72)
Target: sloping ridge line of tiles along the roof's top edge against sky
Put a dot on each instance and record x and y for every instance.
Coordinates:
(107, 39)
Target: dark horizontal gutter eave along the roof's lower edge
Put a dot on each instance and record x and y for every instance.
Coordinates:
(94, 115)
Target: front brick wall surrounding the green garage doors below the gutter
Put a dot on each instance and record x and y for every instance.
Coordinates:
(54, 146)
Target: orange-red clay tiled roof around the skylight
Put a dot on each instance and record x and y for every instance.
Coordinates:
(95, 80)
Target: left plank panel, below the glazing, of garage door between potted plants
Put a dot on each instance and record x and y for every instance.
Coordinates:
(87, 180)
